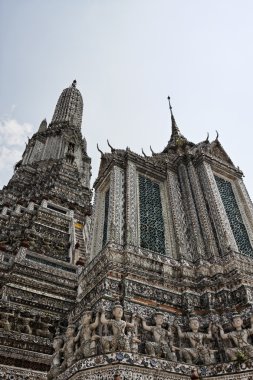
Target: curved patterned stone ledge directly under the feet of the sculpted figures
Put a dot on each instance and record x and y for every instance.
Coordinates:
(143, 367)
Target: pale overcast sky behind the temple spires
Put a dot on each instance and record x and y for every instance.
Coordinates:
(127, 57)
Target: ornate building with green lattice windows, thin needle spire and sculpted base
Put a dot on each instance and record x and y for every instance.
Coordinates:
(171, 240)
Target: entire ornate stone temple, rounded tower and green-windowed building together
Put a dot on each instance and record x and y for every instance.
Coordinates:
(151, 280)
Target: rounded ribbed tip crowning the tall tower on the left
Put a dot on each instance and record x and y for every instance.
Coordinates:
(69, 107)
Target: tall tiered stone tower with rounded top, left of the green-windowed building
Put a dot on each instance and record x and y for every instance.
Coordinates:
(44, 212)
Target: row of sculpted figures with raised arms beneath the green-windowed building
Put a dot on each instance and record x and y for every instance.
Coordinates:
(193, 347)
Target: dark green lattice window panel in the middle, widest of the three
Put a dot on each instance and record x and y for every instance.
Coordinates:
(151, 218)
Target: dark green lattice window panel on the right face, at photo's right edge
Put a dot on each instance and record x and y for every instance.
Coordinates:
(234, 216)
